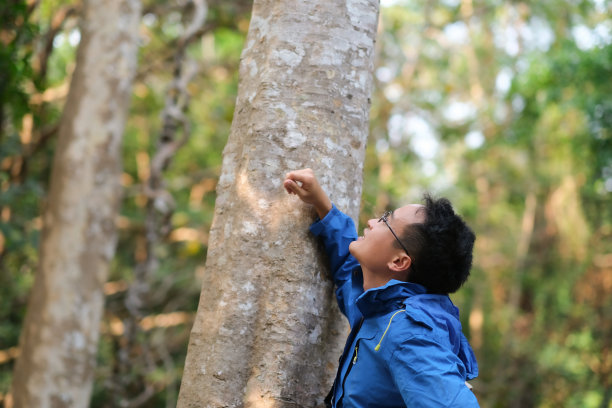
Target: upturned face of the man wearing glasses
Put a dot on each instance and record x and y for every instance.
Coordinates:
(377, 248)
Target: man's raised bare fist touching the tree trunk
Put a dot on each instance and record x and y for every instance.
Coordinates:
(304, 184)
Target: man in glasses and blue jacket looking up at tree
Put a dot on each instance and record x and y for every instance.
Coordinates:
(406, 347)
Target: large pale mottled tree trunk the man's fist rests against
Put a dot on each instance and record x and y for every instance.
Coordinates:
(267, 332)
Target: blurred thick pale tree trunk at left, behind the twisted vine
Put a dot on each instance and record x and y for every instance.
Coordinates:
(60, 336)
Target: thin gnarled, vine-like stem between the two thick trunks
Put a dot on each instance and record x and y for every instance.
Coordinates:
(160, 203)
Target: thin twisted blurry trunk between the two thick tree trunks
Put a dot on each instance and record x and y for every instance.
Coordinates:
(137, 348)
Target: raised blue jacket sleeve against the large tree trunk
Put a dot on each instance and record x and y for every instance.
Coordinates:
(337, 230)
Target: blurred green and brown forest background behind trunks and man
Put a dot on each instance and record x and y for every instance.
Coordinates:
(504, 107)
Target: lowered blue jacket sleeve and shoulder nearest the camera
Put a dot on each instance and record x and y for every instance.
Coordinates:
(430, 375)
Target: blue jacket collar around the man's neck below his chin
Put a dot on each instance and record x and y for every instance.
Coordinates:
(389, 297)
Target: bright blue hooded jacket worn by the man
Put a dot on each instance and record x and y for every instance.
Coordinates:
(406, 347)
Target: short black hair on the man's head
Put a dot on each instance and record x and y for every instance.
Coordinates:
(440, 247)
